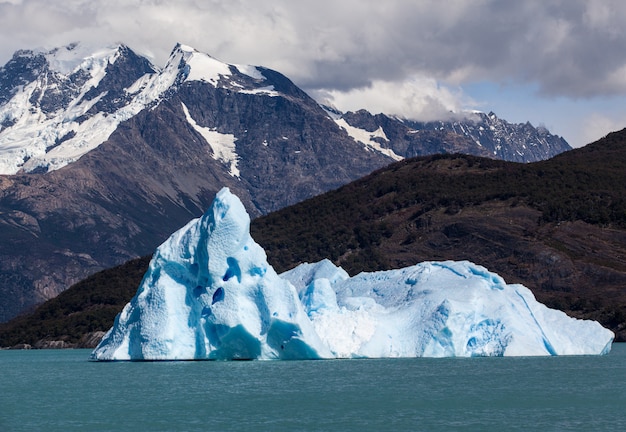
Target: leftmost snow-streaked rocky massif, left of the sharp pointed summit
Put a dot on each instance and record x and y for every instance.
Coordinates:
(59, 105)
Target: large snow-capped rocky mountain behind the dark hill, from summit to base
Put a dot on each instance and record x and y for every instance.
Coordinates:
(104, 154)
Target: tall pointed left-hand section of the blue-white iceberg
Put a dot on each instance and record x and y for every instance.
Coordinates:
(209, 293)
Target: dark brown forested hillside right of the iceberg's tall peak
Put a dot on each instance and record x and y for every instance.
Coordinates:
(558, 226)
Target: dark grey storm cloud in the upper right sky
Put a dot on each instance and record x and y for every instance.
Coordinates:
(569, 48)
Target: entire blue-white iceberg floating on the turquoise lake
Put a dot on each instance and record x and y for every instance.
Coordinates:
(210, 294)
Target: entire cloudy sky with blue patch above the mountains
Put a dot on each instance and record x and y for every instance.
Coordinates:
(560, 64)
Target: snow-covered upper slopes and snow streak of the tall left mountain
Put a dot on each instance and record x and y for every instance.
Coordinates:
(66, 103)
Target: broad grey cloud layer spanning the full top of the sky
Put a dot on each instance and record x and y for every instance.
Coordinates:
(571, 48)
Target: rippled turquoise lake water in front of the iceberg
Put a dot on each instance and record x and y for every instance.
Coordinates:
(61, 391)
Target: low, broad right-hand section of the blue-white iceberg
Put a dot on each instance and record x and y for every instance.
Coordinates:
(437, 309)
